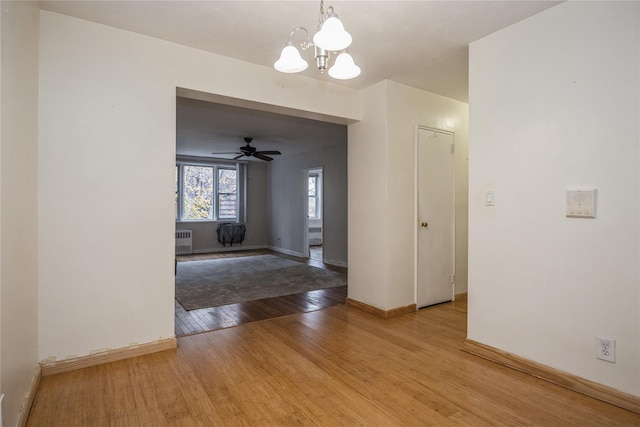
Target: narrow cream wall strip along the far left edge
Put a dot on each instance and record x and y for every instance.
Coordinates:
(18, 212)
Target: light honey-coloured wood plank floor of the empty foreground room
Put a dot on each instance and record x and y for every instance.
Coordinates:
(333, 367)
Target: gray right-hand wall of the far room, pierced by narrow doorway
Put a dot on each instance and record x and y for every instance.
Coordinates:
(287, 193)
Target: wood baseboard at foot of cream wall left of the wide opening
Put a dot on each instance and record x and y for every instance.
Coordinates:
(108, 356)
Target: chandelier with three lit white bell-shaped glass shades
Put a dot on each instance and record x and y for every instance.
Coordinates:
(331, 37)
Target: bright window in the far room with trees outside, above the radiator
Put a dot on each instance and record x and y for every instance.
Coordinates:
(207, 192)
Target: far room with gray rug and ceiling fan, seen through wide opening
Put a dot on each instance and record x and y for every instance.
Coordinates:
(220, 274)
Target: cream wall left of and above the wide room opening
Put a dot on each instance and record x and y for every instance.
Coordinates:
(106, 174)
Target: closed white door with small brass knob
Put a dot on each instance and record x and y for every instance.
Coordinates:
(436, 217)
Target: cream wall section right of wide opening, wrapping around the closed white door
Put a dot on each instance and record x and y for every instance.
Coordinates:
(382, 189)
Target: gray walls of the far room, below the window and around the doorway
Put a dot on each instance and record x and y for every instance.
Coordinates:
(275, 207)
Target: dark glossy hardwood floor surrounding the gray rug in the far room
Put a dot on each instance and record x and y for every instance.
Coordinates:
(212, 318)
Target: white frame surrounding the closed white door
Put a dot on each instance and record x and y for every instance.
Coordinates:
(416, 218)
